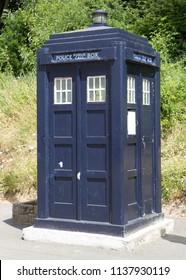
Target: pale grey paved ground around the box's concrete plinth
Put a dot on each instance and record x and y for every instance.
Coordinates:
(12, 247)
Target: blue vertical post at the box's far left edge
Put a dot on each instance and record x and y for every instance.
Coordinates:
(42, 140)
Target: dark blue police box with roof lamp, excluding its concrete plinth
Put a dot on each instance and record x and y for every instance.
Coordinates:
(98, 131)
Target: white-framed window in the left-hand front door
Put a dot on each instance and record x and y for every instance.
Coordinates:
(63, 91)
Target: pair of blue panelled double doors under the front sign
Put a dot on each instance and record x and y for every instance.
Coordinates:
(79, 142)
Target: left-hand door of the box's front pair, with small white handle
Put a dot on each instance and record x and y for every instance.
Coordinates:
(62, 144)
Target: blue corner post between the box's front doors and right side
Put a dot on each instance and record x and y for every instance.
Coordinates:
(118, 121)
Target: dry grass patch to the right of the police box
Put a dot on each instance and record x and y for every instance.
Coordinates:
(174, 165)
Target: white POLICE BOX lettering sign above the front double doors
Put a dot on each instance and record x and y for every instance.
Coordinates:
(76, 56)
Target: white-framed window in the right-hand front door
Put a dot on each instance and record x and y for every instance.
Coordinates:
(96, 89)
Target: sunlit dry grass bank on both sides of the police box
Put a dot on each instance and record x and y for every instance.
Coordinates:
(18, 175)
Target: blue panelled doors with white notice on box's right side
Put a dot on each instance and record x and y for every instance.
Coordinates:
(140, 148)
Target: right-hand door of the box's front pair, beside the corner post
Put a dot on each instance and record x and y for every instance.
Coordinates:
(95, 142)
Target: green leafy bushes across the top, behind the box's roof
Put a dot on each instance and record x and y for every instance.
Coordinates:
(26, 29)
